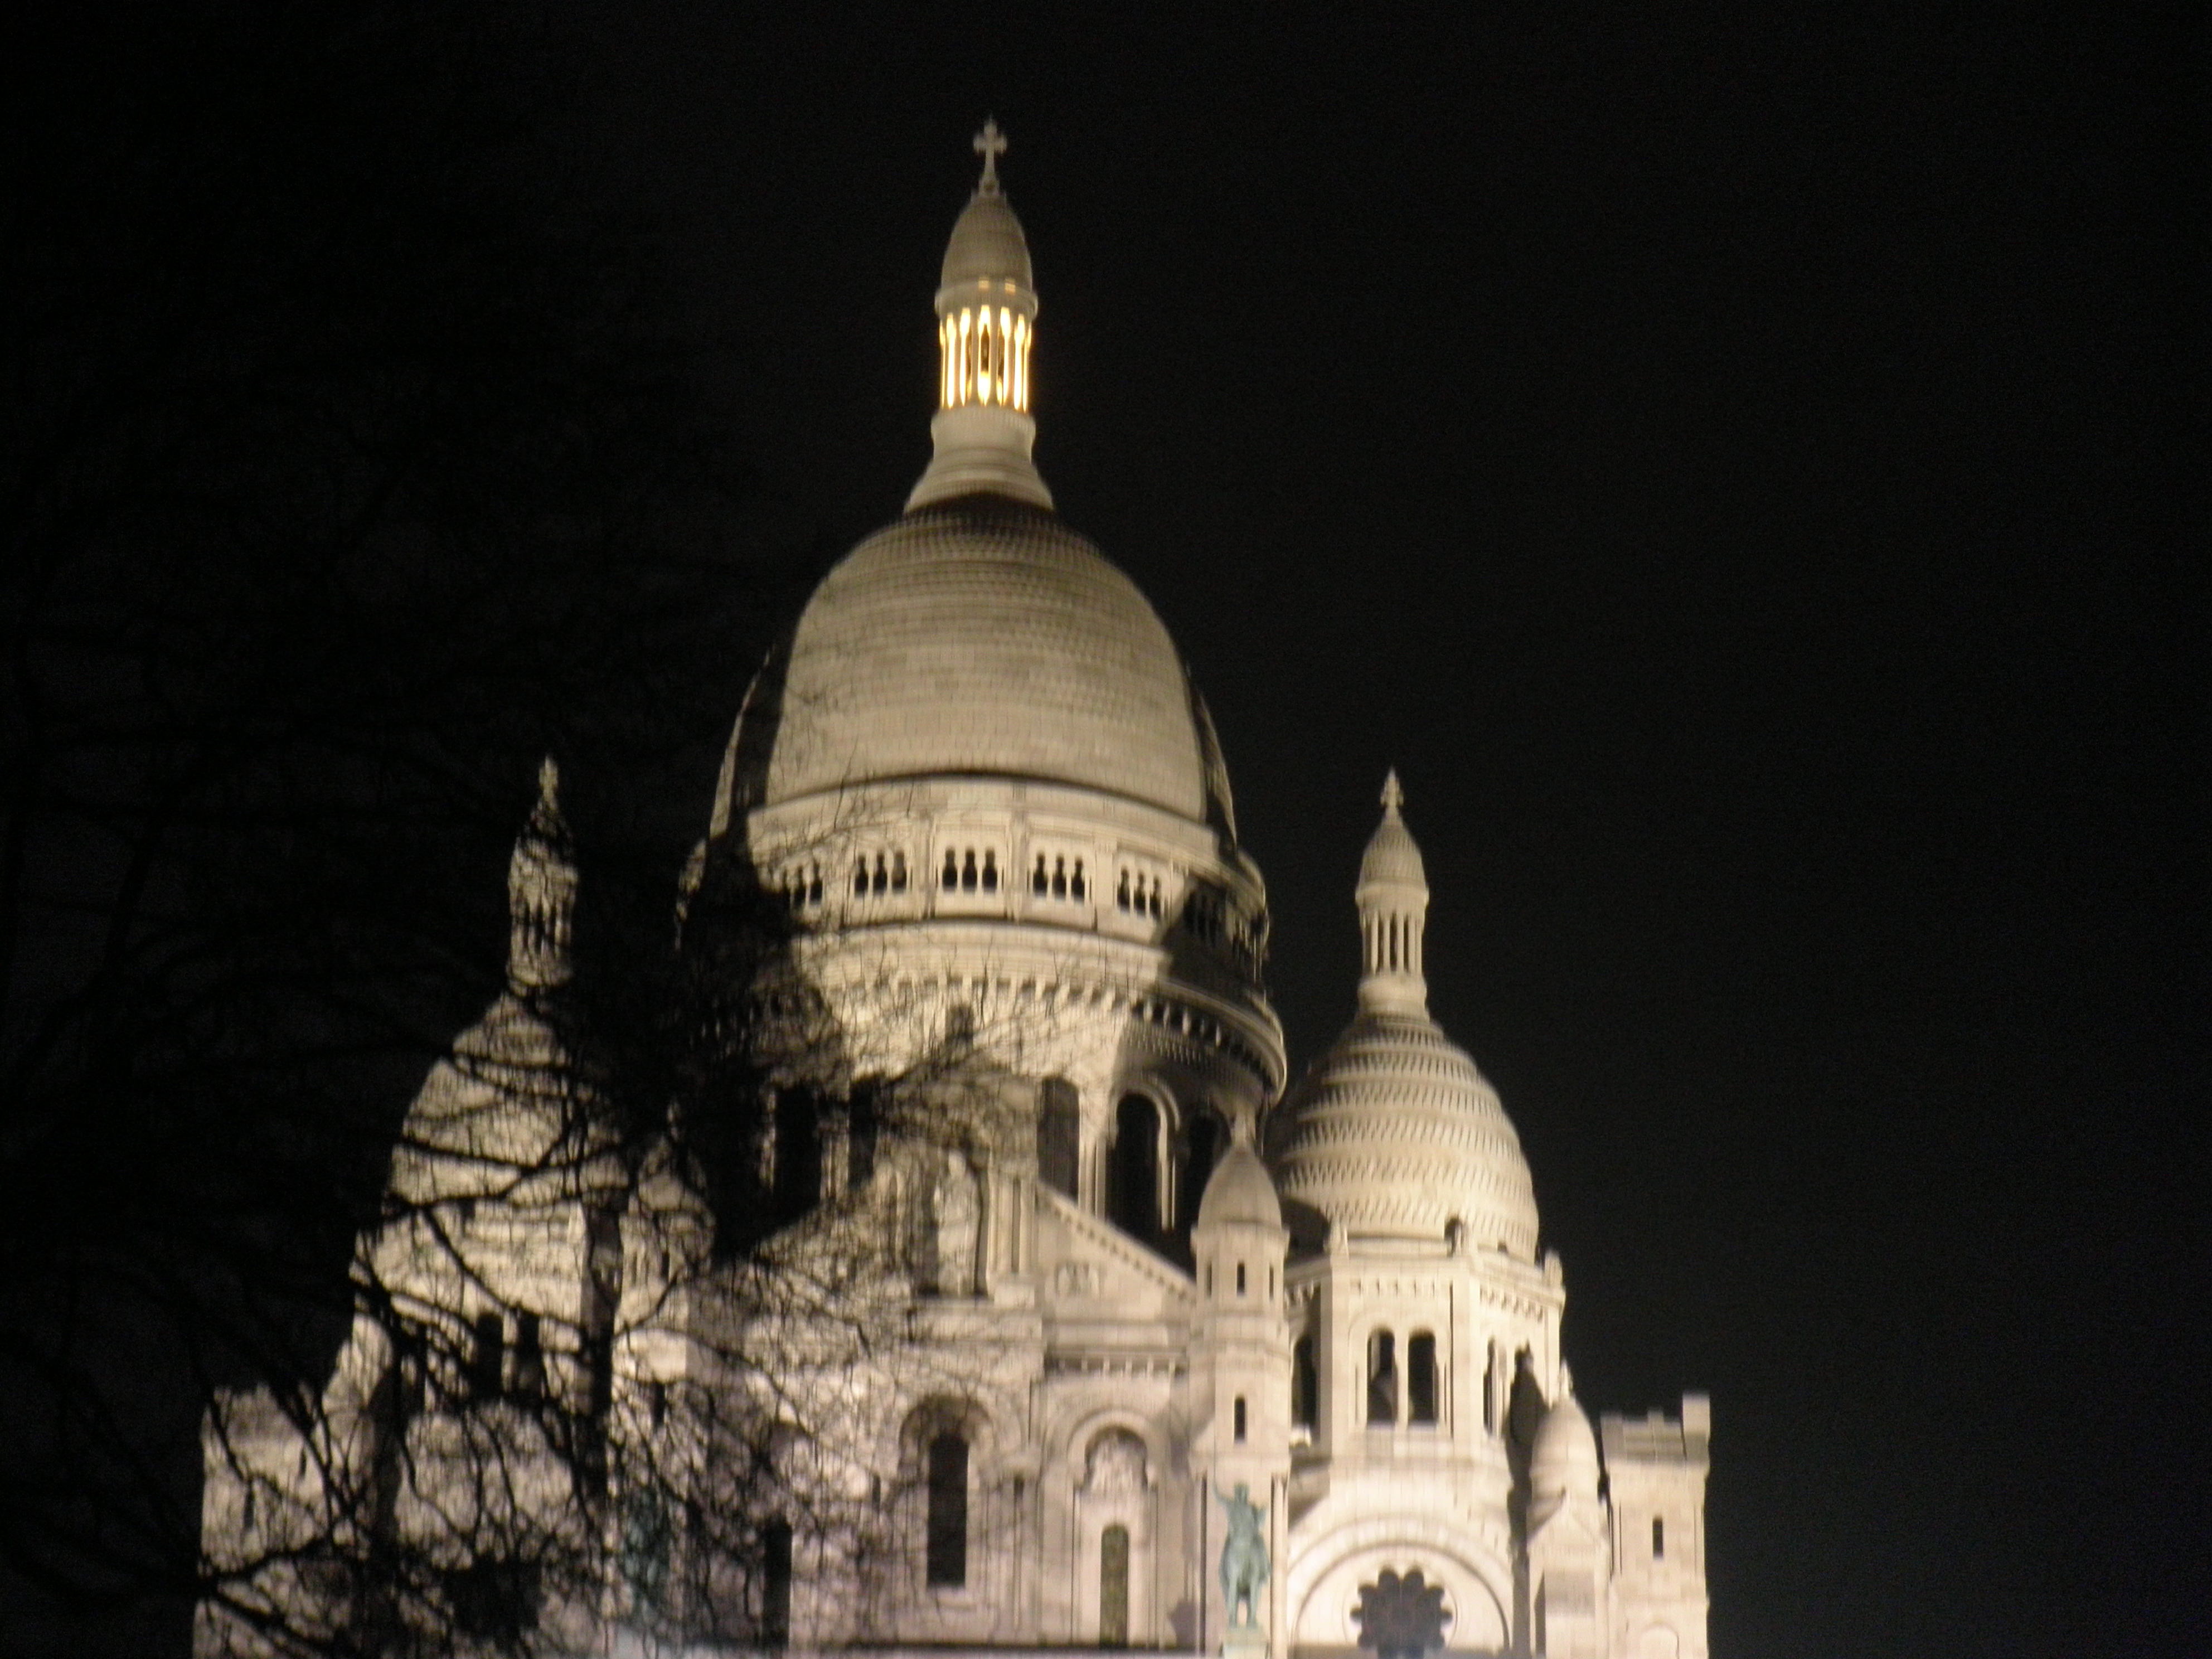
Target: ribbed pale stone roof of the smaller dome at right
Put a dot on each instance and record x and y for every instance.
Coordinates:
(1395, 1134)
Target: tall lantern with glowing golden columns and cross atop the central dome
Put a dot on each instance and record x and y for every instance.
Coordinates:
(988, 322)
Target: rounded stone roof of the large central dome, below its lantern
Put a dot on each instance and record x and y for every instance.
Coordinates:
(985, 638)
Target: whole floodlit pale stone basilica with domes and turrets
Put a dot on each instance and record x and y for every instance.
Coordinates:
(997, 1286)
